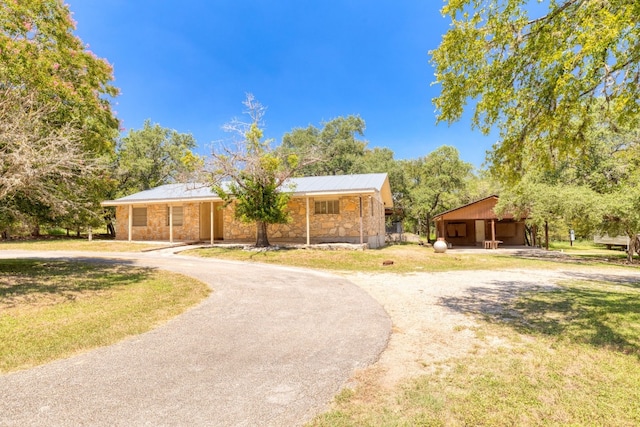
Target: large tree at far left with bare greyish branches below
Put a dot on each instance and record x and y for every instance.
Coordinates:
(57, 122)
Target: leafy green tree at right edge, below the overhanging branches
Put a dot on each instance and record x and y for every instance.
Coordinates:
(597, 192)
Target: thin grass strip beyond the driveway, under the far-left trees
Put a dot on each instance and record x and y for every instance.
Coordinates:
(75, 244)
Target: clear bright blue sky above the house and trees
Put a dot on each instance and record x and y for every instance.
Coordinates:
(187, 65)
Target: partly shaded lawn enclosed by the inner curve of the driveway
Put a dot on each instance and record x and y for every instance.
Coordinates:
(54, 309)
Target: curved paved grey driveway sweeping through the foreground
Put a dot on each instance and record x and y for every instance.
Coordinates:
(270, 346)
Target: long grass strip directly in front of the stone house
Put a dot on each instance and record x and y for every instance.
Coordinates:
(407, 258)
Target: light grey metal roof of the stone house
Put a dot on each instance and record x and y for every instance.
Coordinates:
(306, 186)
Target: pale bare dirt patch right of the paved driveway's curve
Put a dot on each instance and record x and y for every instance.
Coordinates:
(433, 314)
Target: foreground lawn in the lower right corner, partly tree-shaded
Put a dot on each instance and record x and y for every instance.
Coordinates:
(571, 357)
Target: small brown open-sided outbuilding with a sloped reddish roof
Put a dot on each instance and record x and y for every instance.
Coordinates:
(476, 224)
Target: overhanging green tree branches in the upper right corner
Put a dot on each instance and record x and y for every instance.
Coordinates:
(537, 71)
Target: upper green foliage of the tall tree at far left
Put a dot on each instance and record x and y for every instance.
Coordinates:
(40, 54)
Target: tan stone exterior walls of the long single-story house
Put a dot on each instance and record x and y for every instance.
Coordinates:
(343, 227)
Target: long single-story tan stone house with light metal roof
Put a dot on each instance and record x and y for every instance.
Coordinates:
(324, 209)
